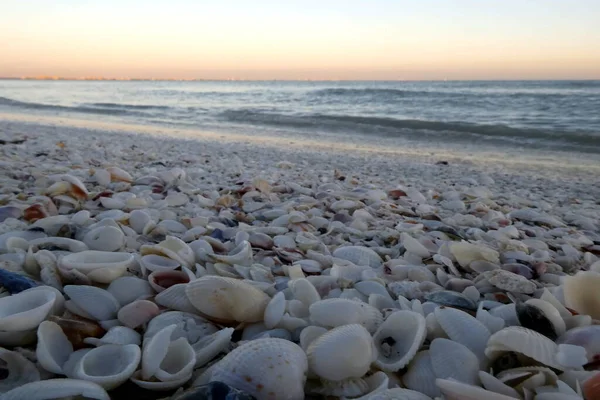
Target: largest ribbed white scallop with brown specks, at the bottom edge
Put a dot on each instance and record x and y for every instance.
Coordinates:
(268, 369)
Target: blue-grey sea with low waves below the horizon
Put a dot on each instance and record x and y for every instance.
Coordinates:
(557, 115)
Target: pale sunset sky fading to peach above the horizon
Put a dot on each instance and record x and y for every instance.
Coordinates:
(310, 39)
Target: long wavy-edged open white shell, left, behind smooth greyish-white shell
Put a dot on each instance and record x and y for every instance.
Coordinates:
(99, 266)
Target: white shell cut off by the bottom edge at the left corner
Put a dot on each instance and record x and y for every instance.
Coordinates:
(57, 389)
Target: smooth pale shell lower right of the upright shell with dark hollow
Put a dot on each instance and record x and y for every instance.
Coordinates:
(453, 360)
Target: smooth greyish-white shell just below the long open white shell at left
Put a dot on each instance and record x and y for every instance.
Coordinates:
(95, 302)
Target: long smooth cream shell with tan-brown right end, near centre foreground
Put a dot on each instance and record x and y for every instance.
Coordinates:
(226, 299)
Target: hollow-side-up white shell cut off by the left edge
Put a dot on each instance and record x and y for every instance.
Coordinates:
(26, 310)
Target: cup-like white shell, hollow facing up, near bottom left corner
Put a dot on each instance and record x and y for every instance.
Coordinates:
(109, 366)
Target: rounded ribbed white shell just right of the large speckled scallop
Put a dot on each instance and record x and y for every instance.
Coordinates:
(342, 353)
